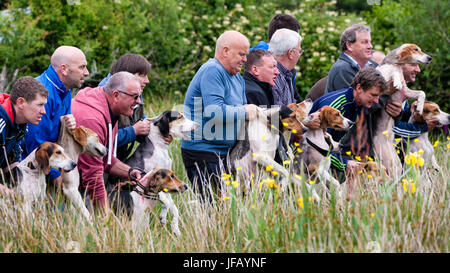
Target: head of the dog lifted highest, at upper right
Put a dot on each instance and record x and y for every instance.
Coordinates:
(407, 54)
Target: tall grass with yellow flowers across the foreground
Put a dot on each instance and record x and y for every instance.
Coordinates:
(382, 218)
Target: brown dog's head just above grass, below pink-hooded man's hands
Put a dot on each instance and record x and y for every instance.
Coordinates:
(164, 179)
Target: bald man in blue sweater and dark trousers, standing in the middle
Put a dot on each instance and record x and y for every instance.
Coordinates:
(216, 99)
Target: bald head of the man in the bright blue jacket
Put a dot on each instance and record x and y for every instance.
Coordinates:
(70, 65)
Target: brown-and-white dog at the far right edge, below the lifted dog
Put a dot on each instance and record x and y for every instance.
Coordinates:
(430, 111)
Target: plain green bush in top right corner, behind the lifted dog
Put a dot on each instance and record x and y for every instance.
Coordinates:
(425, 23)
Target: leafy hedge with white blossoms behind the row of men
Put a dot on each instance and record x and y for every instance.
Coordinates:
(175, 36)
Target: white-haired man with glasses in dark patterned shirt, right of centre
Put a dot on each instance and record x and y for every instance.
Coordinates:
(285, 45)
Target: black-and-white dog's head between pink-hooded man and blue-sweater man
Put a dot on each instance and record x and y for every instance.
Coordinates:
(175, 123)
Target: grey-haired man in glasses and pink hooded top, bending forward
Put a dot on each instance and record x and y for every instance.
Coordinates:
(99, 109)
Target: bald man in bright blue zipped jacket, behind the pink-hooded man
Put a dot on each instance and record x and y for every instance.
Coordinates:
(67, 70)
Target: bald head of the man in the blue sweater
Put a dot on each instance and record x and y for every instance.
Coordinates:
(231, 50)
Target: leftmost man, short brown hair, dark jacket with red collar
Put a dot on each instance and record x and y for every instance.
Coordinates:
(25, 104)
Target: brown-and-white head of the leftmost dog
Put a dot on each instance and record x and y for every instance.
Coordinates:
(51, 156)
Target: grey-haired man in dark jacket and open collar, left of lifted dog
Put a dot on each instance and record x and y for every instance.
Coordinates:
(356, 54)
